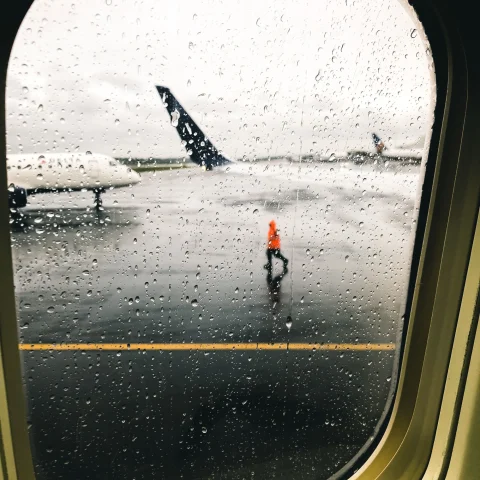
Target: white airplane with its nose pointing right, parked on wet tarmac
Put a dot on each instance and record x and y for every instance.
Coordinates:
(30, 174)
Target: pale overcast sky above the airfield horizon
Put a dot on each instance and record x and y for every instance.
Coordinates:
(274, 77)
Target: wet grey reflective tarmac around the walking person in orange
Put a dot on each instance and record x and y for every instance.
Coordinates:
(154, 347)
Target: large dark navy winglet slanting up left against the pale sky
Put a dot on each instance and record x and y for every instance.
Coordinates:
(198, 146)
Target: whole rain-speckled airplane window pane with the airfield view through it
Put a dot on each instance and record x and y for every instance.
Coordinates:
(236, 310)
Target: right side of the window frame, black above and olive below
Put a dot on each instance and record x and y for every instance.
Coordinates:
(444, 253)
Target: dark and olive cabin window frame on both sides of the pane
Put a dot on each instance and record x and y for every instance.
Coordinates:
(442, 252)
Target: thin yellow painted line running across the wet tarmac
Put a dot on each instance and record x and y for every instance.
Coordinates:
(209, 346)
